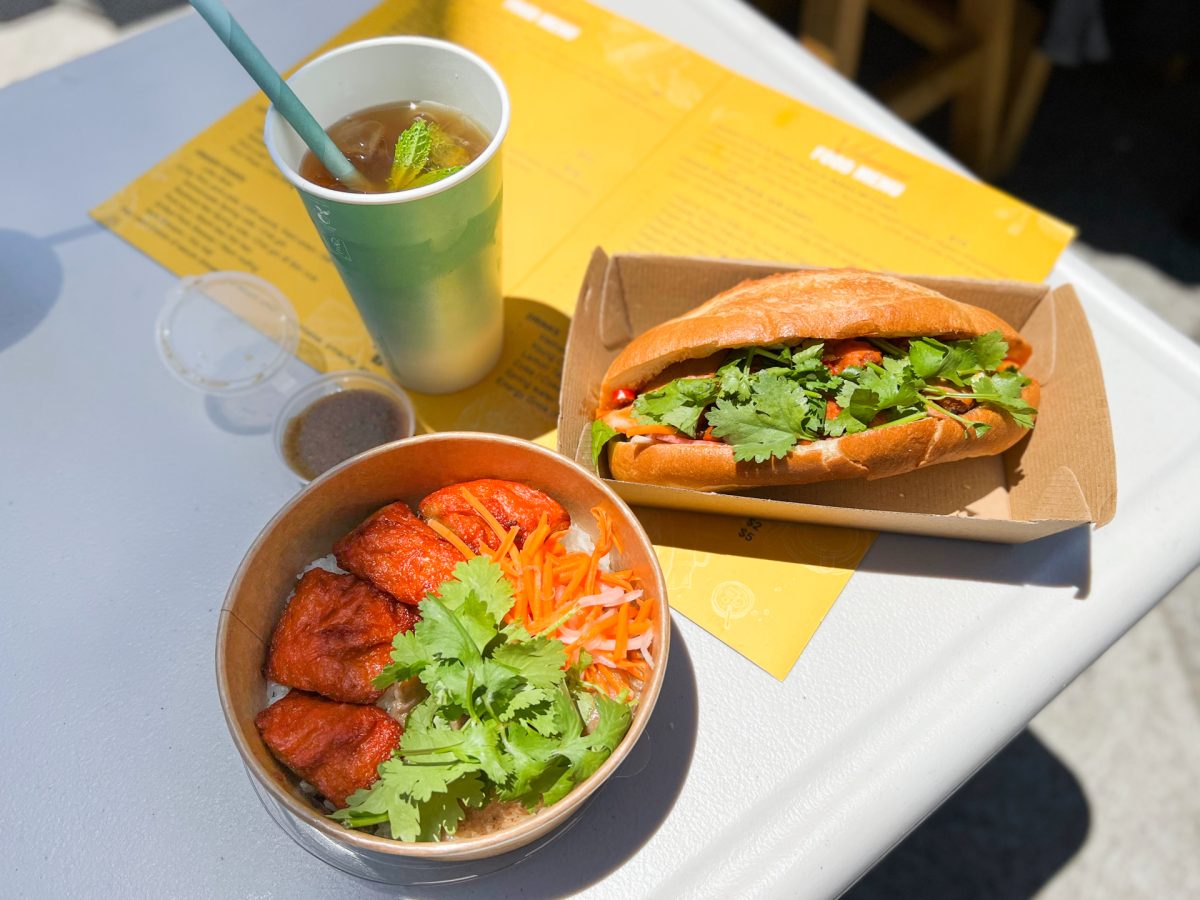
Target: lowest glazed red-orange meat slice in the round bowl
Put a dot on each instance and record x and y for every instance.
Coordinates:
(334, 747)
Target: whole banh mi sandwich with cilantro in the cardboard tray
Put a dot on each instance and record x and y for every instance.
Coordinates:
(813, 376)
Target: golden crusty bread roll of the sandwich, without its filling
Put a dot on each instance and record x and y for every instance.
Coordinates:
(789, 309)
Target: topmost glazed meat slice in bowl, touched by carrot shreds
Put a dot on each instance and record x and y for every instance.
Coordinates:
(511, 502)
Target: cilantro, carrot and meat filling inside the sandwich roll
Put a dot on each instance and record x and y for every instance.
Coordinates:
(765, 401)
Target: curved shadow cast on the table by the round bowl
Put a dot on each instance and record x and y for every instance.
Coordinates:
(621, 818)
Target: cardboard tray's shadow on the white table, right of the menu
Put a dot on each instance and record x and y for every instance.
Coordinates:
(1063, 560)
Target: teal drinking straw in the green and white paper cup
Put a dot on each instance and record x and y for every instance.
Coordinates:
(286, 101)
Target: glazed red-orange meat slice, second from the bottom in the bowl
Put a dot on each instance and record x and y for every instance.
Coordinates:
(335, 637)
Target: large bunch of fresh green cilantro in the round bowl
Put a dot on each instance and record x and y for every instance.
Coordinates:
(506, 718)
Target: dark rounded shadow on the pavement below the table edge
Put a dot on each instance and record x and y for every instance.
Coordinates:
(1005, 835)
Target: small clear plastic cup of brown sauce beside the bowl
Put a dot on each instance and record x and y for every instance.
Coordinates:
(340, 416)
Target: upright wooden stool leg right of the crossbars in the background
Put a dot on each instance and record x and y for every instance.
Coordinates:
(979, 110)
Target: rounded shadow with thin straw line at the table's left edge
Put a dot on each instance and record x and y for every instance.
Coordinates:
(31, 280)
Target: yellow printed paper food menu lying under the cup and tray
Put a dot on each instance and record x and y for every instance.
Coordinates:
(621, 139)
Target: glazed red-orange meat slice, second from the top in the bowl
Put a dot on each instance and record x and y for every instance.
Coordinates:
(399, 554)
